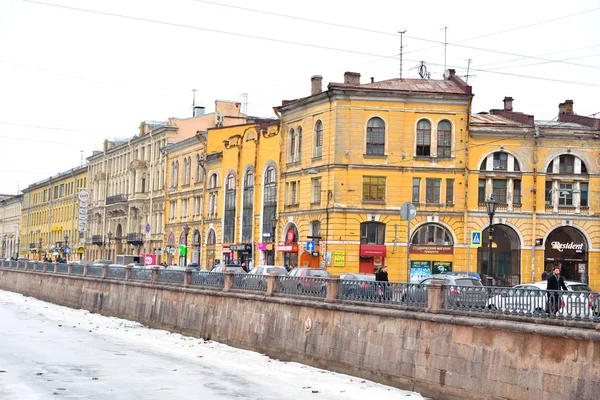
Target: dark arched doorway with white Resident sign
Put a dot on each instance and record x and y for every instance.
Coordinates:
(567, 247)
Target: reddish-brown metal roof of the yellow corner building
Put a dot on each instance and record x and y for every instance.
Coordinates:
(406, 85)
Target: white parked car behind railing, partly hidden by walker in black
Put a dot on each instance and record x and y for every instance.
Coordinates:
(579, 301)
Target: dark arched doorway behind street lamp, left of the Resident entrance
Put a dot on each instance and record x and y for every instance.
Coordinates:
(506, 256)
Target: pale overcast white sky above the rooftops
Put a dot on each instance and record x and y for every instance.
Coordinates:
(70, 78)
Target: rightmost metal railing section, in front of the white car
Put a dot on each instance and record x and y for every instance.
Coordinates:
(537, 303)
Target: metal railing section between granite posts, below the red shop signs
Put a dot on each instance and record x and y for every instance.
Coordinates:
(400, 293)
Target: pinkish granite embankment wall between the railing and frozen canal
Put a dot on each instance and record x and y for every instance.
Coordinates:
(440, 355)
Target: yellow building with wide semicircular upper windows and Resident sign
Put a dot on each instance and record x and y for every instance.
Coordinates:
(544, 177)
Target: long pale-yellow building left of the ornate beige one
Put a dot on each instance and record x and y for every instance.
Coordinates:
(50, 217)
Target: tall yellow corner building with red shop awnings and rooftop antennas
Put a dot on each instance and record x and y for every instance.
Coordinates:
(354, 154)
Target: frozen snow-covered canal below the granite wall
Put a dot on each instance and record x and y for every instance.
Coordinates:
(52, 352)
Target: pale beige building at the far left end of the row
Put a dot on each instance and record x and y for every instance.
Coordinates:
(10, 217)
